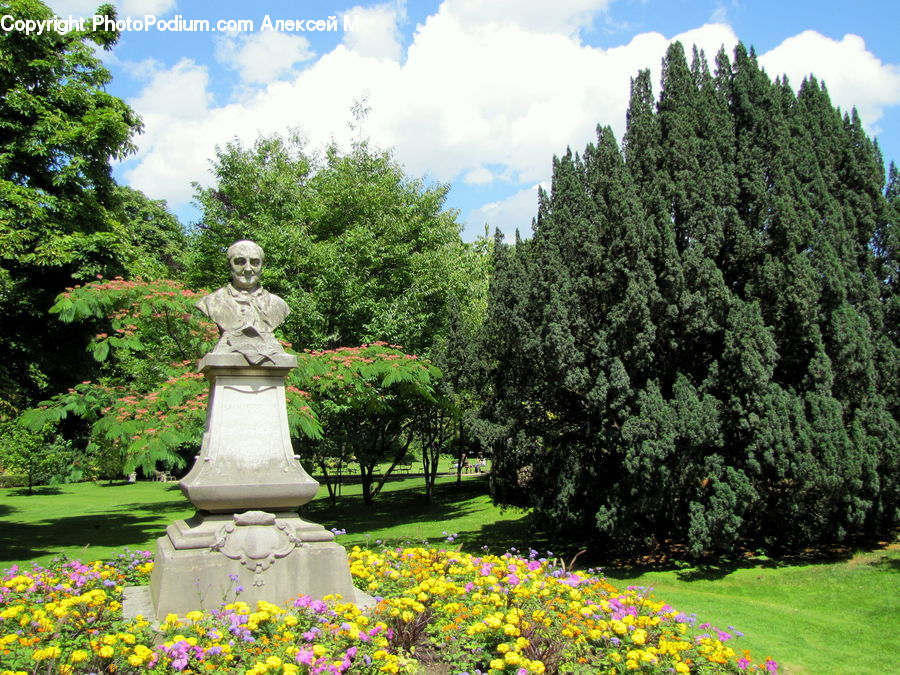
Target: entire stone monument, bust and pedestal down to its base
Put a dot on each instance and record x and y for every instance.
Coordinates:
(246, 482)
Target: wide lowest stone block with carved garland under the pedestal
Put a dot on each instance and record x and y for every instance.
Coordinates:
(209, 560)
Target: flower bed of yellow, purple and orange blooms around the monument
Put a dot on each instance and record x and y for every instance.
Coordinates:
(439, 611)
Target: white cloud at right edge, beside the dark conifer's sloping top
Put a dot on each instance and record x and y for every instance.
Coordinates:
(853, 75)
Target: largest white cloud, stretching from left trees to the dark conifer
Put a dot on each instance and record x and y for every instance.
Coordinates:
(467, 96)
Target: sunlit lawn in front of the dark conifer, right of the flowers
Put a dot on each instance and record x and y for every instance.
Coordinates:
(835, 617)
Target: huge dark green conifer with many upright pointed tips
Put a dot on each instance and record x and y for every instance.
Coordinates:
(699, 344)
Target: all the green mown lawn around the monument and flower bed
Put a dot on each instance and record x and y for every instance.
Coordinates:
(827, 617)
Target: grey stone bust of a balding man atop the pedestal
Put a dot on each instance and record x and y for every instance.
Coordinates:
(245, 313)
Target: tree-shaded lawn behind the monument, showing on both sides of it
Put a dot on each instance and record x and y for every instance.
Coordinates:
(96, 521)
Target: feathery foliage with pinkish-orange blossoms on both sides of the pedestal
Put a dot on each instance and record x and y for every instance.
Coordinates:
(149, 405)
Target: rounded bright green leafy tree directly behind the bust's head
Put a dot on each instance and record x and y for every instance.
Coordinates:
(360, 252)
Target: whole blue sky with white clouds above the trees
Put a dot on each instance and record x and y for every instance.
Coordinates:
(479, 94)
